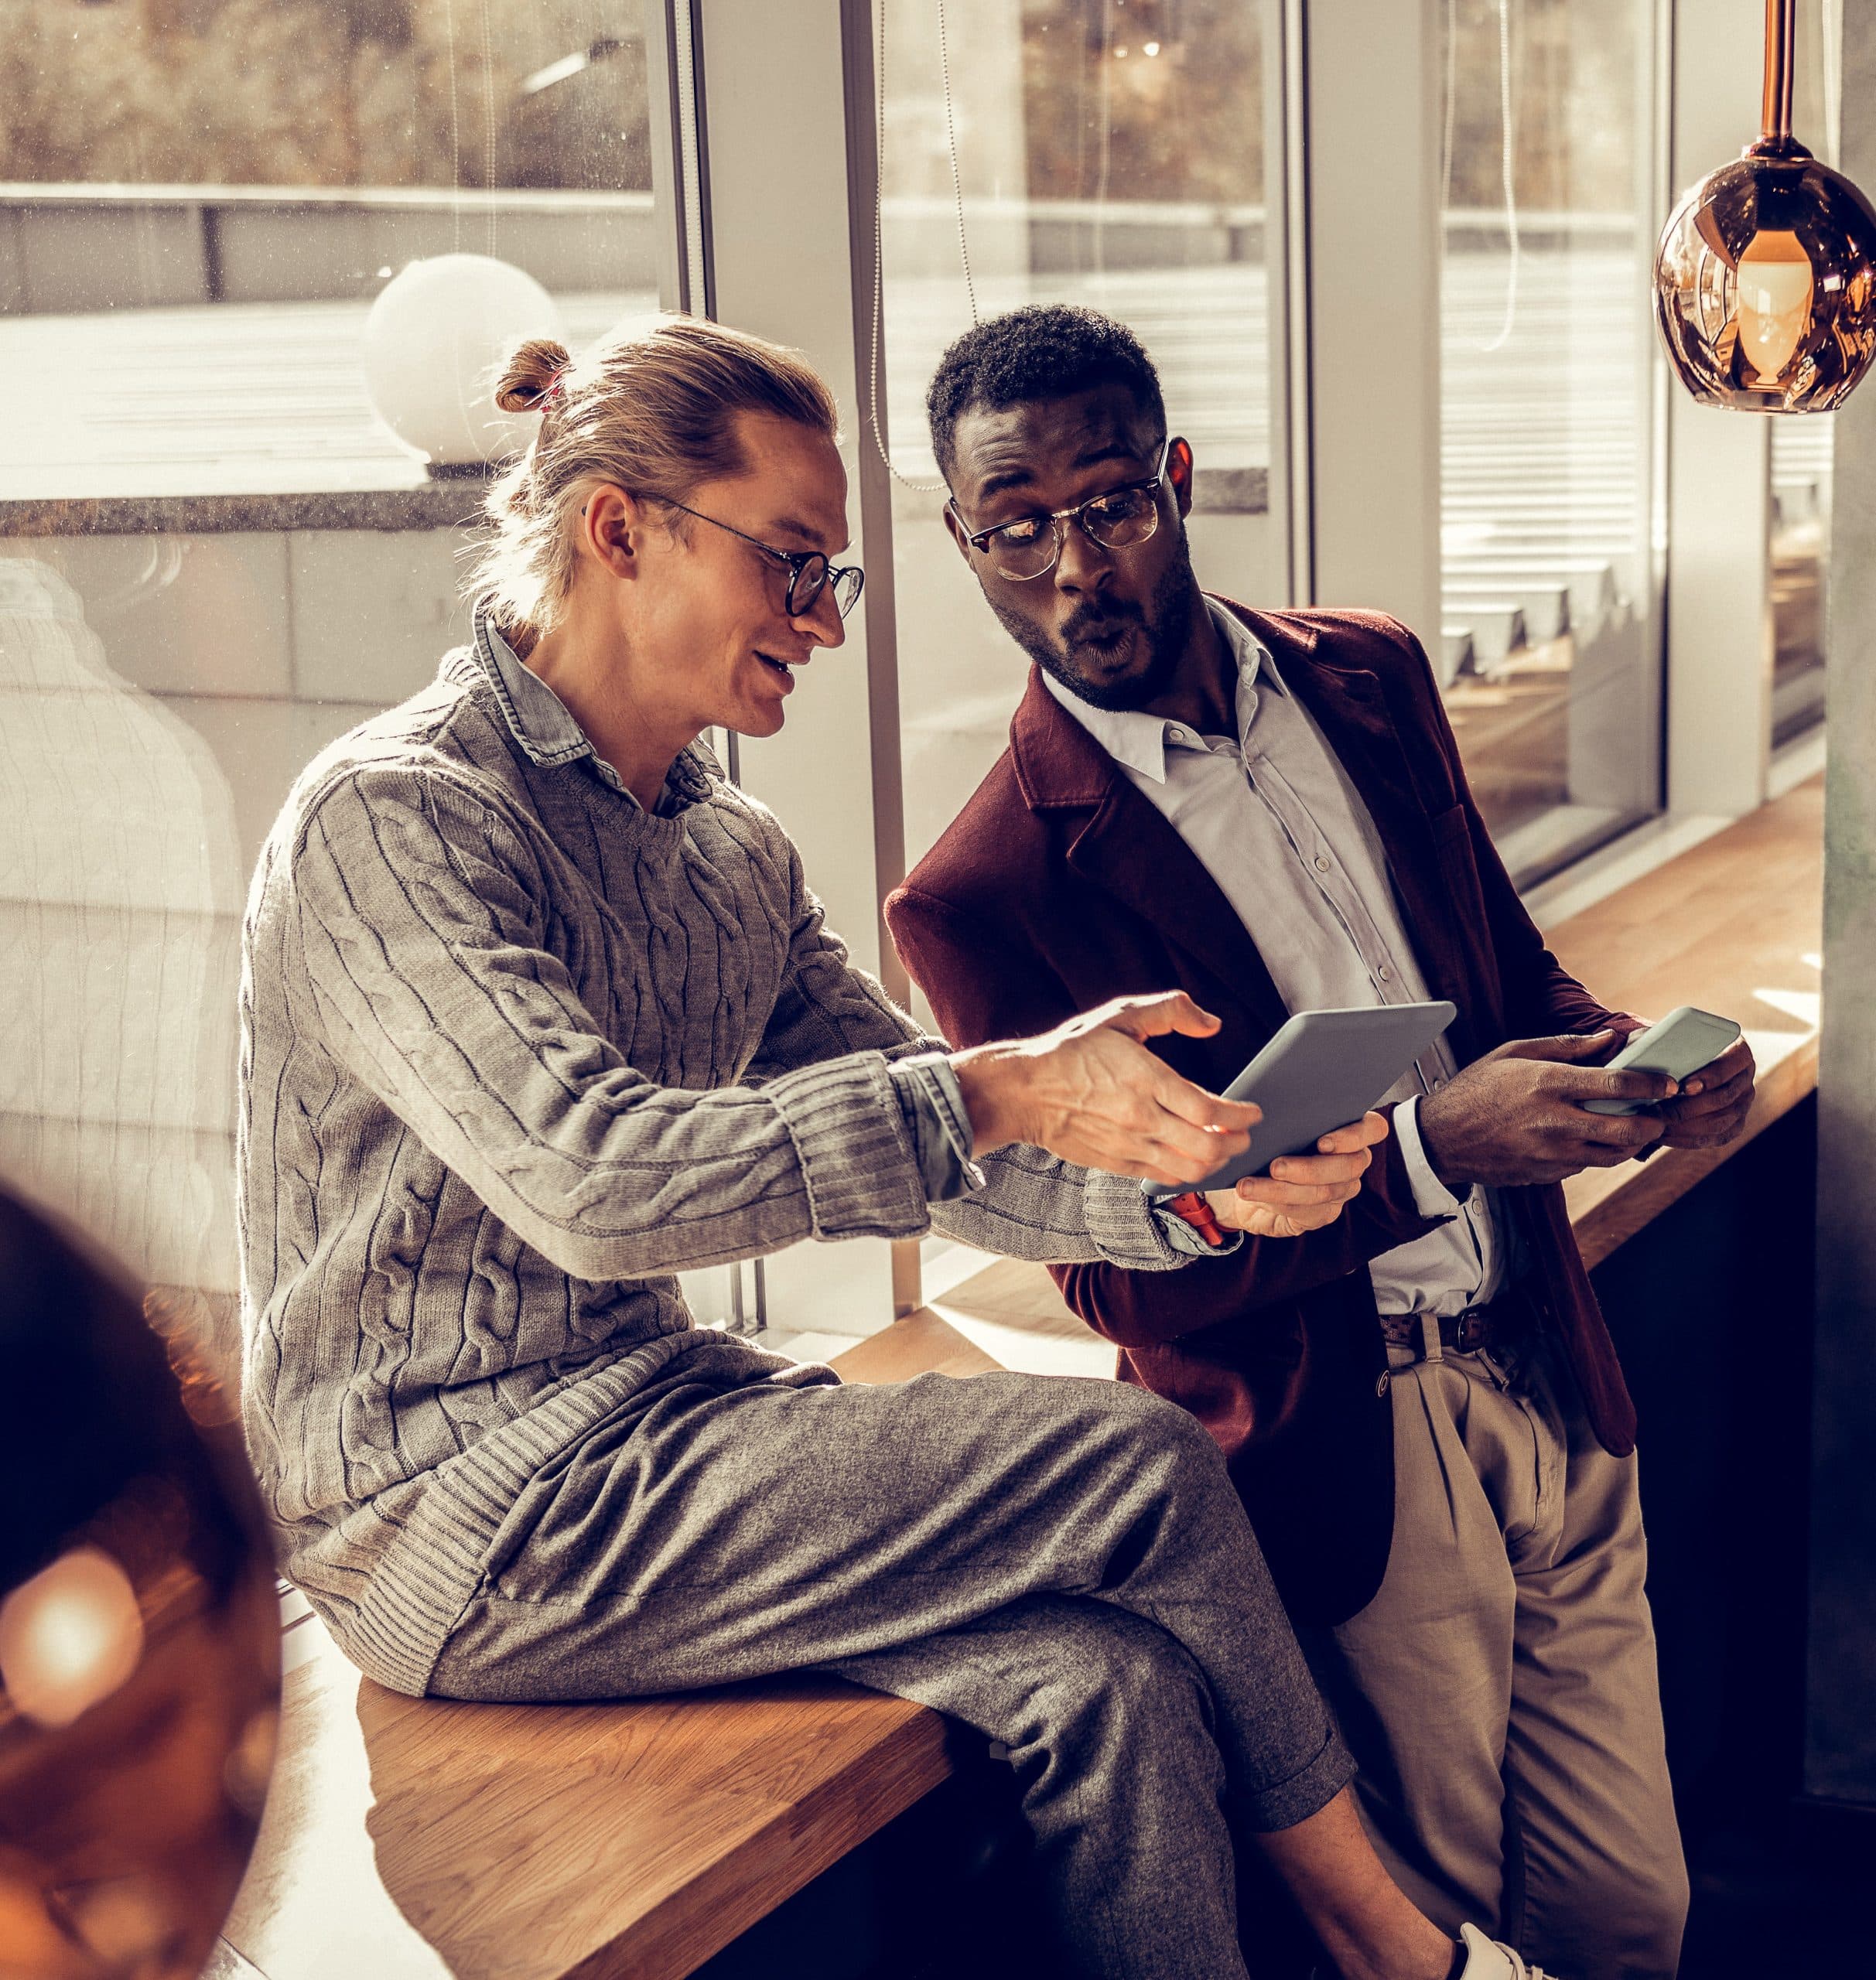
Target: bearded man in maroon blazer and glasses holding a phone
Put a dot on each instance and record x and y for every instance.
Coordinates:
(1421, 1403)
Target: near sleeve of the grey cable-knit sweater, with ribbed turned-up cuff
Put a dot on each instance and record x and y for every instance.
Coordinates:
(421, 926)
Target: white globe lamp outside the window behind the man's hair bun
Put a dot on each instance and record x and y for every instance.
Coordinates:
(433, 344)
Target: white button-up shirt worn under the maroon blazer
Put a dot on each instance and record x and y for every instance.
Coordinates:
(1279, 825)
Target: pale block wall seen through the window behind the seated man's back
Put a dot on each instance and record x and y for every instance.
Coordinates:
(157, 698)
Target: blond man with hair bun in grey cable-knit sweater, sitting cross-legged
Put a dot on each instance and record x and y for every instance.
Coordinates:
(538, 1013)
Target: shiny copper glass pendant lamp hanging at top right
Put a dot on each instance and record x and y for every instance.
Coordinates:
(1766, 276)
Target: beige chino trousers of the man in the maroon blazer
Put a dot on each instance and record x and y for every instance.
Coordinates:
(1501, 1692)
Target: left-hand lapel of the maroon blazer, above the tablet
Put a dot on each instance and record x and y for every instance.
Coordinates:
(1132, 852)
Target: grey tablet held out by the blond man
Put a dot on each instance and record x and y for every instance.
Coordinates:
(1324, 1070)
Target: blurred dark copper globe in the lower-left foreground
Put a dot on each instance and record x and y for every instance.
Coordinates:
(140, 1636)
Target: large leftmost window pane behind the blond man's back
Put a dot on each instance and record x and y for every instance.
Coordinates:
(213, 555)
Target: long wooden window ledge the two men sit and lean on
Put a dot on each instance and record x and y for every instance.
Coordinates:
(637, 1840)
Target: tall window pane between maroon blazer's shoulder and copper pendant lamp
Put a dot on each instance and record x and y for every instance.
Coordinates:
(1550, 641)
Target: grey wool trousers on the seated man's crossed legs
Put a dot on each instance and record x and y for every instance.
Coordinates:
(1059, 1563)
